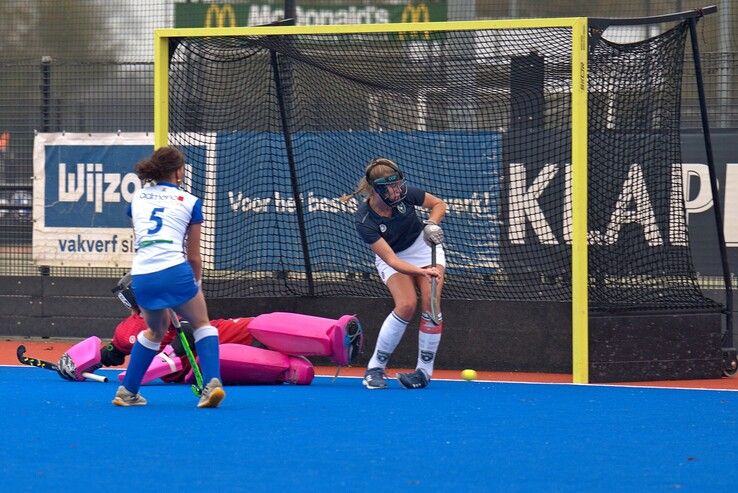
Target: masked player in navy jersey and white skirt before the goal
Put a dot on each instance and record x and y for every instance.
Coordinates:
(387, 221)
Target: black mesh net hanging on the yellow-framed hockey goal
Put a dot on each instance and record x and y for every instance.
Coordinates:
(277, 128)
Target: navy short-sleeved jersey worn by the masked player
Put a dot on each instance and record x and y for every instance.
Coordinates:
(400, 230)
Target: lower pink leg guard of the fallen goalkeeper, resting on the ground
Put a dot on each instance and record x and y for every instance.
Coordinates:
(248, 365)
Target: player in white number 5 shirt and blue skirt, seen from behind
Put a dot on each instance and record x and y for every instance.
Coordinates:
(166, 273)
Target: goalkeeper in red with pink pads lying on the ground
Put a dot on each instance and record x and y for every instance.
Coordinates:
(267, 349)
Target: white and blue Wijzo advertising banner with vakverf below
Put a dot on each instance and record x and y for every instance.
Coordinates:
(82, 186)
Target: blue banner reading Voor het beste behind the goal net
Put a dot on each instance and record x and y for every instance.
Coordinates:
(258, 217)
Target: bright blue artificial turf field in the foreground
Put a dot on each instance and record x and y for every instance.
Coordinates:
(336, 436)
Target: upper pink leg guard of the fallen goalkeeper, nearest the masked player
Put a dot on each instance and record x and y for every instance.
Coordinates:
(306, 335)
